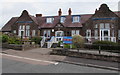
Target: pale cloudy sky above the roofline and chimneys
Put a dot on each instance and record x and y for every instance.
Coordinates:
(14, 8)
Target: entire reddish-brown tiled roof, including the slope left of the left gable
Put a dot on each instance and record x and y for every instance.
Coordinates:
(41, 21)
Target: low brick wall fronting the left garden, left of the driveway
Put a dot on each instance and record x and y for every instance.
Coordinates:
(18, 47)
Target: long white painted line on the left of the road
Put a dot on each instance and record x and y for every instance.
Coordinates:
(55, 63)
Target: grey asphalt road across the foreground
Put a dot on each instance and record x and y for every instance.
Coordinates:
(12, 64)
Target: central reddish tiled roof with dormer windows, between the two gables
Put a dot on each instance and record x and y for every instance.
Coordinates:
(68, 21)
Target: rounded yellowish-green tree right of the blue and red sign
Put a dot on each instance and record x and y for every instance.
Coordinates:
(78, 41)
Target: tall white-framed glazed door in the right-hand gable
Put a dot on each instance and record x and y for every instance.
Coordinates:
(105, 34)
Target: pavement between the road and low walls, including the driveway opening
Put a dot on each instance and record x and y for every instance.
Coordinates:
(44, 54)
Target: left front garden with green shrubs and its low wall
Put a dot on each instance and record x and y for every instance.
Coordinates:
(14, 42)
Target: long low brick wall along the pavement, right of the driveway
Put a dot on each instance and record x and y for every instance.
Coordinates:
(85, 55)
